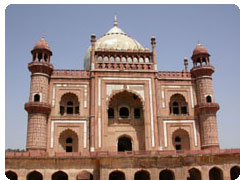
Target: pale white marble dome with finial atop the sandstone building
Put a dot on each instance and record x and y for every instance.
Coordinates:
(114, 39)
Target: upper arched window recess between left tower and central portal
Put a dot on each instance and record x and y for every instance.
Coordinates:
(69, 104)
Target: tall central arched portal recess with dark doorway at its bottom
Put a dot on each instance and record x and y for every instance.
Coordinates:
(126, 114)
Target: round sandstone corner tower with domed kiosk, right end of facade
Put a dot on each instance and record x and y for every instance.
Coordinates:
(206, 107)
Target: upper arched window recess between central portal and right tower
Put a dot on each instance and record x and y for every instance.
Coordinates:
(178, 105)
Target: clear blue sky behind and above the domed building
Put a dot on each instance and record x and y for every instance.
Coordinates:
(177, 29)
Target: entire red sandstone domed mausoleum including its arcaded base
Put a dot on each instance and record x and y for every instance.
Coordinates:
(120, 118)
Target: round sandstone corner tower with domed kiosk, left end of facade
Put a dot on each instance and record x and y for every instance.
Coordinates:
(38, 107)
